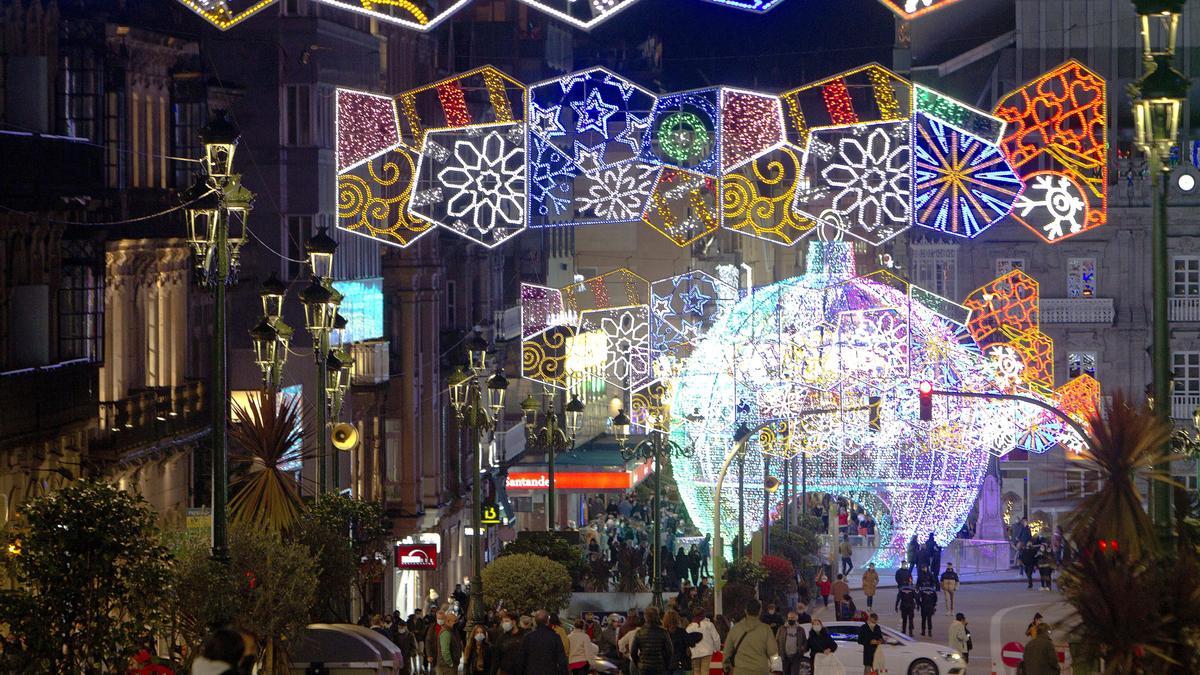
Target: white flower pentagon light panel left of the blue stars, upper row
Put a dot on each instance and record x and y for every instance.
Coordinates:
(473, 182)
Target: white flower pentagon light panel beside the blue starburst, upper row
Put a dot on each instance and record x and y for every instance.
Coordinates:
(859, 180)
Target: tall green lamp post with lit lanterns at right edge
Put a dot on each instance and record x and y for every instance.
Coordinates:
(1157, 106)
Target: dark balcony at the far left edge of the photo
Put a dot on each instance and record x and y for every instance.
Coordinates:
(45, 401)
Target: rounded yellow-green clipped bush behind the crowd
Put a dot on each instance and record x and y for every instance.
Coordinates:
(526, 583)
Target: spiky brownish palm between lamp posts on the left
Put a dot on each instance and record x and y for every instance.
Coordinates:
(267, 437)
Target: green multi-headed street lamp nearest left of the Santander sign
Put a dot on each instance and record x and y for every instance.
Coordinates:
(479, 413)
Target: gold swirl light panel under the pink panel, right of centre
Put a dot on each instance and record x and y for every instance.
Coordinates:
(757, 199)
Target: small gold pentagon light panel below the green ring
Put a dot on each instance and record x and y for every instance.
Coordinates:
(685, 207)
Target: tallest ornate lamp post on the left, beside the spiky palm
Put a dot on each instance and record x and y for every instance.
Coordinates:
(217, 222)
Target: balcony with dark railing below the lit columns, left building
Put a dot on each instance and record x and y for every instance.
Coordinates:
(151, 417)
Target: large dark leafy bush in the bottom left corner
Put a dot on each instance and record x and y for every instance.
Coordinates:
(93, 577)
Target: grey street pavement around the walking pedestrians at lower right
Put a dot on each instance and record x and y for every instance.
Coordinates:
(998, 606)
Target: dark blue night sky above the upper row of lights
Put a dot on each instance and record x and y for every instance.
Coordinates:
(795, 44)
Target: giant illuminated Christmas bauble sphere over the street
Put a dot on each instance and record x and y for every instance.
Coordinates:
(797, 368)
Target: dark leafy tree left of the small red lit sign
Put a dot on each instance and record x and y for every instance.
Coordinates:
(345, 537)
